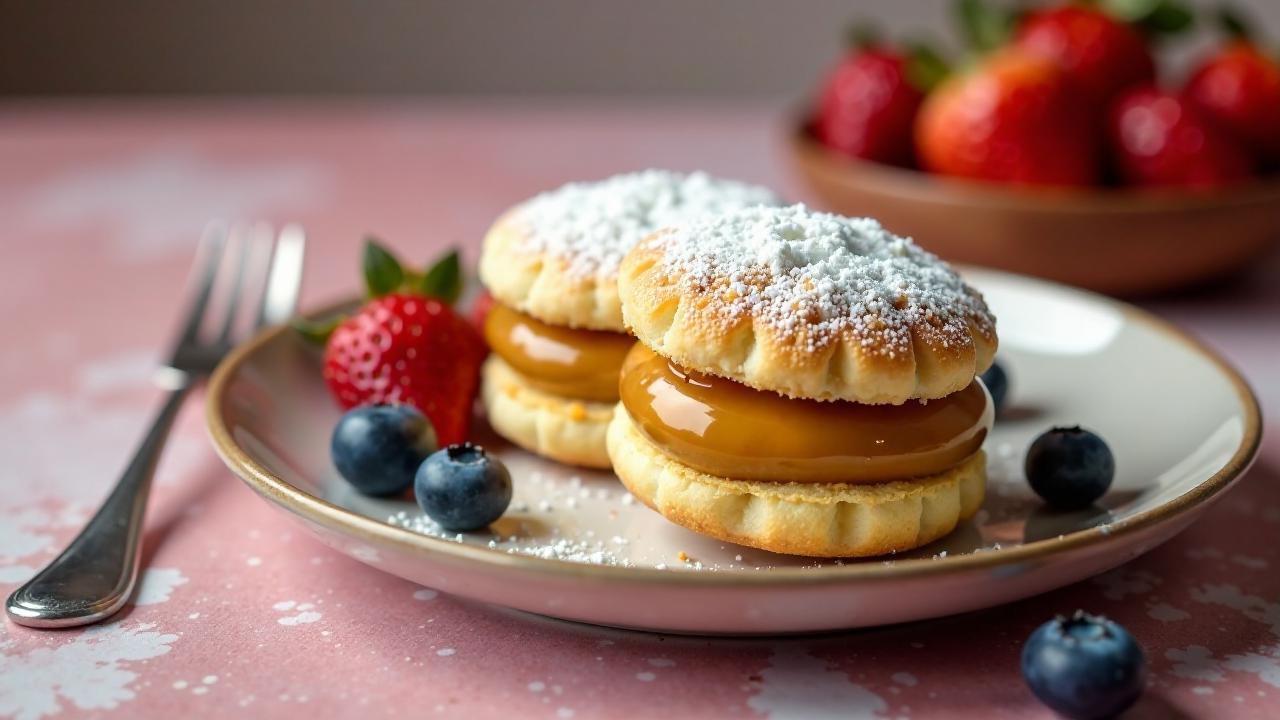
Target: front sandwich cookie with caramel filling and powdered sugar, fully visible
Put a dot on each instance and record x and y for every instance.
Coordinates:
(803, 384)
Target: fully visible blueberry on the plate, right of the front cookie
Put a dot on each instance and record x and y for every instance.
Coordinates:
(1069, 468)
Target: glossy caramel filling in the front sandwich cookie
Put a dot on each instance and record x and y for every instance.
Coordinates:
(728, 430)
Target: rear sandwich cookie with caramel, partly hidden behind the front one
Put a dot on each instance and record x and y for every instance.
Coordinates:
(556, 330)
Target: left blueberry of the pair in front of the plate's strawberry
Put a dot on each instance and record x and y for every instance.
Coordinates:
(380, 448)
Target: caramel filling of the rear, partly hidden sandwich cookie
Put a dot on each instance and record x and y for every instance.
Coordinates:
(566, 362)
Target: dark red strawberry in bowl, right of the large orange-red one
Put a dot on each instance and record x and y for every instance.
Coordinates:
(1162, 140)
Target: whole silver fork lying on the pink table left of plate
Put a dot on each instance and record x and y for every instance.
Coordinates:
(95, 576)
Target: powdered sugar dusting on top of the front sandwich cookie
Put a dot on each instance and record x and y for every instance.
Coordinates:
(816, 276)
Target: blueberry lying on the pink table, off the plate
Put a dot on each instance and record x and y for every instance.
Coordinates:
(1085, 667)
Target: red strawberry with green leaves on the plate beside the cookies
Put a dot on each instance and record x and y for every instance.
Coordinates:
(406, 345)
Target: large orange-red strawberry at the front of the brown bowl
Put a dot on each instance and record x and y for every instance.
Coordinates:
(1014, 119)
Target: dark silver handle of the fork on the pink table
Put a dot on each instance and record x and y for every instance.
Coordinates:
(95, 576)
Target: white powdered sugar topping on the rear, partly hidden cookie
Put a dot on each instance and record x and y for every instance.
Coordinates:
(593, 225)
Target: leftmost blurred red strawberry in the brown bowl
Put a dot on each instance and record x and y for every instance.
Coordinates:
(868, 106)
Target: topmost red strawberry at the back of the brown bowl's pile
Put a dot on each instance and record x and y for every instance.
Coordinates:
(1100, 54)
